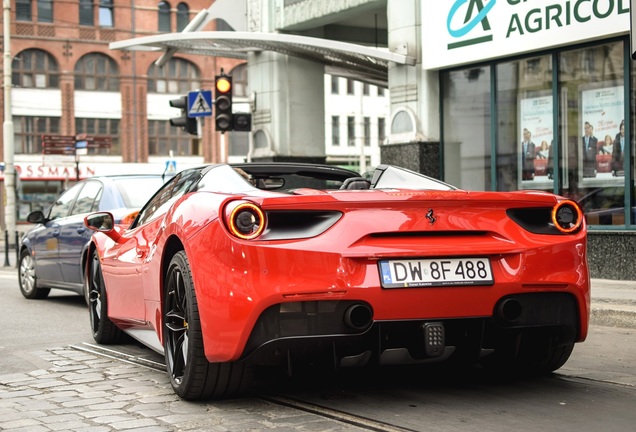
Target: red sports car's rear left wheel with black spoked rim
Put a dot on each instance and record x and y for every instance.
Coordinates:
(191, 375)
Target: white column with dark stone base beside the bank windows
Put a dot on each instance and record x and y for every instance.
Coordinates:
(413, 128)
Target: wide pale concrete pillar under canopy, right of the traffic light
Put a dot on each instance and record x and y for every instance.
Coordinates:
(288, 119)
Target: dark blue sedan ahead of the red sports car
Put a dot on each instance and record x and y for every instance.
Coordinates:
(53, 253)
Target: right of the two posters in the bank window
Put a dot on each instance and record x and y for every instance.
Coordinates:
(602, 129)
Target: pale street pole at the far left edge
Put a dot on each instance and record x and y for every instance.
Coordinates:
(7, 127)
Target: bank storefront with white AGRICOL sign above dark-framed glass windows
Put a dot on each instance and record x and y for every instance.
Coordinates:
(540, 95)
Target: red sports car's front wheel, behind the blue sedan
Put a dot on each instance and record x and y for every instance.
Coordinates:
(104, 331)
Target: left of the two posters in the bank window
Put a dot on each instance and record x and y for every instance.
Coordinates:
(535, 138)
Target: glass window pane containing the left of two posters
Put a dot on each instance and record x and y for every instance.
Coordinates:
(525, 117)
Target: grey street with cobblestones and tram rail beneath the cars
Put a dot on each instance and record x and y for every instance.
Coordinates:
(594, 391)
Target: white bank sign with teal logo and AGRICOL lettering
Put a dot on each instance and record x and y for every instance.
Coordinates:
(456, 32)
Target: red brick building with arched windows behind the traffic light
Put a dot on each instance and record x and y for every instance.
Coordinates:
(67, 82)
